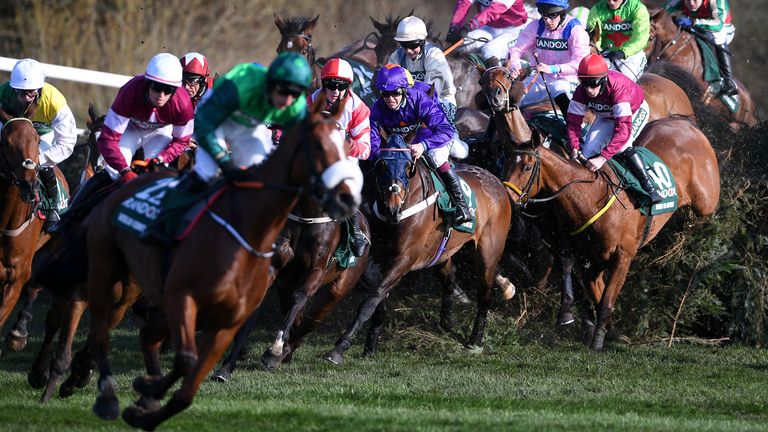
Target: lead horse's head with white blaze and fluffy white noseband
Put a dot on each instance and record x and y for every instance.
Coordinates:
(335, 182)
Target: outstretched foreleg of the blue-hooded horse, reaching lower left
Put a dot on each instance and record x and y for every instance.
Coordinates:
(366, 310)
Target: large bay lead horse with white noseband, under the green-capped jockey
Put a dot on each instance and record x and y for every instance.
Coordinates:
(217, 290)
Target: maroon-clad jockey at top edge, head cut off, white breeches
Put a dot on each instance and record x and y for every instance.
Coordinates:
(495, 28)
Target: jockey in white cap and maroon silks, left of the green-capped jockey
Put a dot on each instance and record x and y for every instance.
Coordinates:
(147, 113)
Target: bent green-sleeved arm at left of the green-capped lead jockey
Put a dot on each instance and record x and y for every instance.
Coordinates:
(211, 113)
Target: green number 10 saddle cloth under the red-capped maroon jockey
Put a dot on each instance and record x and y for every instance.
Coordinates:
(660, 176)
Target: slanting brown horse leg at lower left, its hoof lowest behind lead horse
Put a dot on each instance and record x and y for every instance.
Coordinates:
(72, 311)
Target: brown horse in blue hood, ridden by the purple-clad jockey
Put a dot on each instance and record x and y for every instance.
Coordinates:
(414, 237)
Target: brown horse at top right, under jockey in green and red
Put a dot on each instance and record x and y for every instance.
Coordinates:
(668, 42)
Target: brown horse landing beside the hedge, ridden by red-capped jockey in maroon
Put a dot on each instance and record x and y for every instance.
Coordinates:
(610, 243)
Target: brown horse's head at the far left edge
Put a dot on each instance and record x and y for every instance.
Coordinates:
(19, 154)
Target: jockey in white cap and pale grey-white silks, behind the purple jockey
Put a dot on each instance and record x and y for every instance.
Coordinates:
(426, 63)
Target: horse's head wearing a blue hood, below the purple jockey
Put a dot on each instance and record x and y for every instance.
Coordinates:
(394, 169)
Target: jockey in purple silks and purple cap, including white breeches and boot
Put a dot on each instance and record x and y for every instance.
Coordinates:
(401, 110)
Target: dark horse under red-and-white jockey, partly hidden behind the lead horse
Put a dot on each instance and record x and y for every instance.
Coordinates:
(305, 263)
